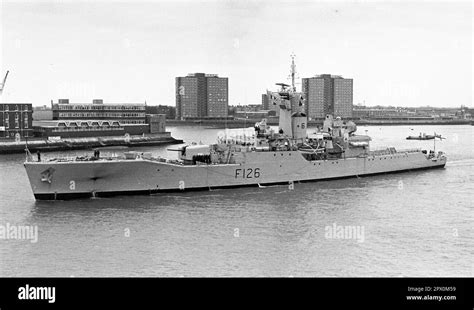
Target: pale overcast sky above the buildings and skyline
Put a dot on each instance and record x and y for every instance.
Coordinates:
(398, 53)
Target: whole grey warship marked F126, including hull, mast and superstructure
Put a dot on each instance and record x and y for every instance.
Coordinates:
(284, 155)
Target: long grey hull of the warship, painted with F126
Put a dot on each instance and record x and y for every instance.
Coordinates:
(104, 178)
